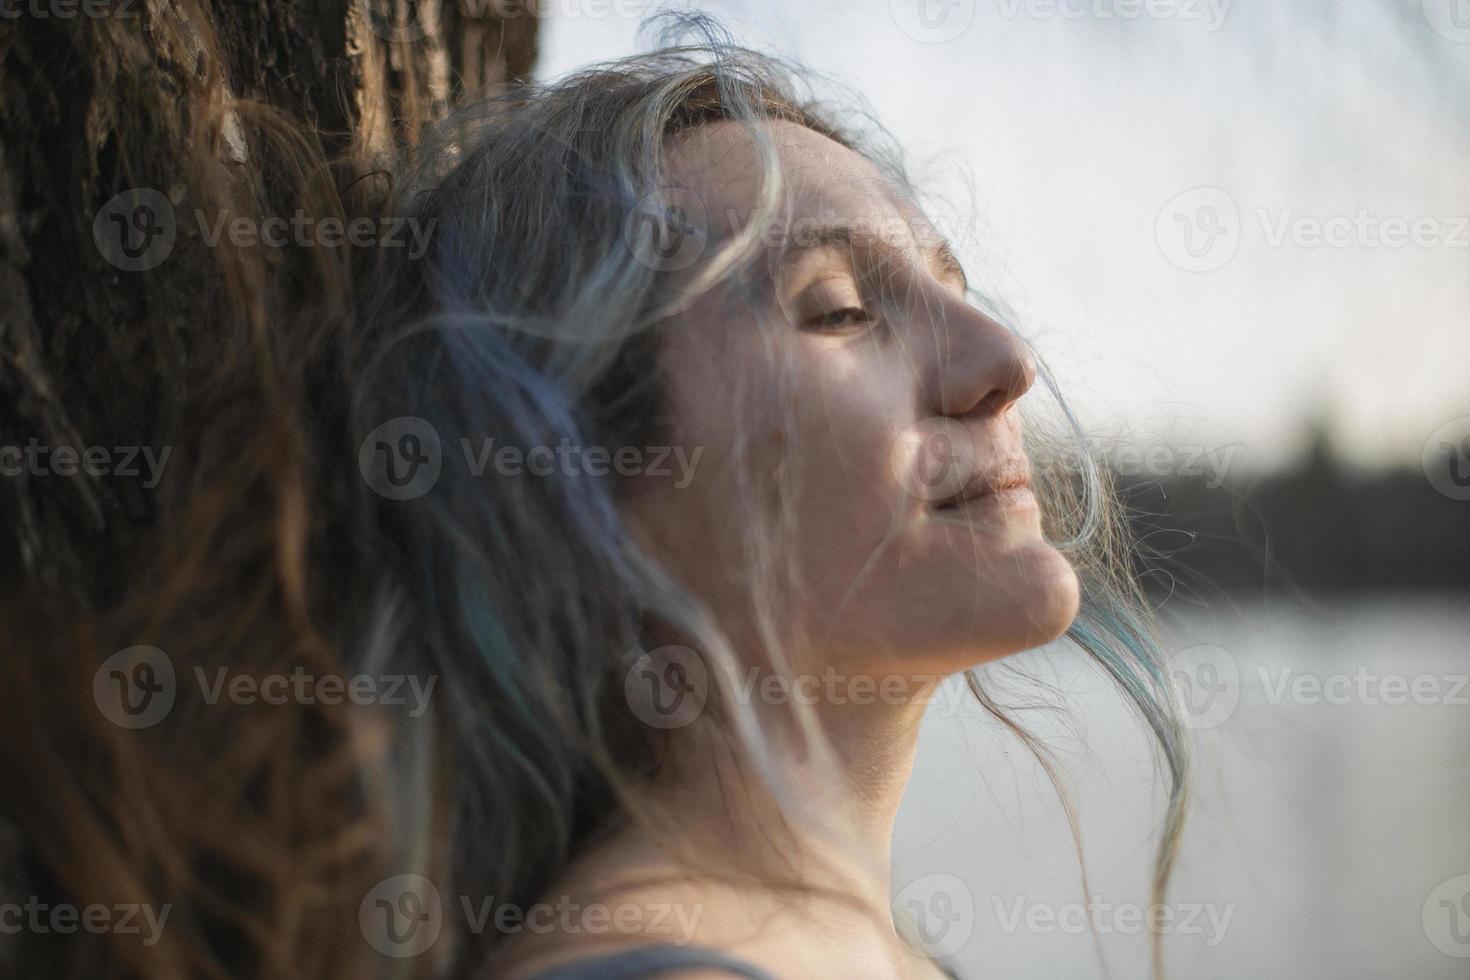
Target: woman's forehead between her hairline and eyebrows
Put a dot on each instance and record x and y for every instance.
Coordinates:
(824, 183)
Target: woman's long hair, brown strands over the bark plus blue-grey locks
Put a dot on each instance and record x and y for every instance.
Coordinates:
(329, 518)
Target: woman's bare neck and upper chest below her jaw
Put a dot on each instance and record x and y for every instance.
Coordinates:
(827, 828)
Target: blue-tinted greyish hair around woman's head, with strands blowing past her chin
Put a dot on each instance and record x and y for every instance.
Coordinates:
(531, 321)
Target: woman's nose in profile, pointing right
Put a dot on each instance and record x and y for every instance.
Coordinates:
(980, 368)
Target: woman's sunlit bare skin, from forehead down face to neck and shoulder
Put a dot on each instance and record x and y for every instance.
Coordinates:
(850, 347)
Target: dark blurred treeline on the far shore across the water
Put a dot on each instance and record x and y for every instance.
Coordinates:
(1319, 527)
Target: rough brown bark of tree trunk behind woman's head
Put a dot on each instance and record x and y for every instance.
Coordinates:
(105, 321)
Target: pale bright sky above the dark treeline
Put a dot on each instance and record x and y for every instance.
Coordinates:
(1213, 220)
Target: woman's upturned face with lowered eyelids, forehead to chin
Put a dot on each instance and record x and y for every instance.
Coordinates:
(853, 384)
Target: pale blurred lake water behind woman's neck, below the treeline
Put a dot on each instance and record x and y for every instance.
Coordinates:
(1330, 826)
